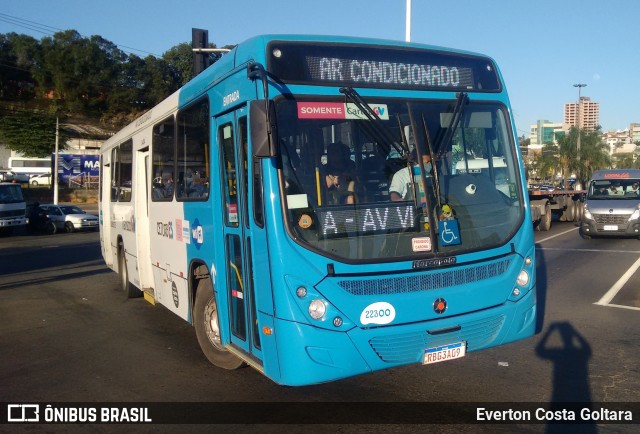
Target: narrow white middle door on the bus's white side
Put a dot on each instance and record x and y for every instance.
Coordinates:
(140, 220)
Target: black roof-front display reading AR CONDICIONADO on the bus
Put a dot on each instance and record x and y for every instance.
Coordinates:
(382, 67)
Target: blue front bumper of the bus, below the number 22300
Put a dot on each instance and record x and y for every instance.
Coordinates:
(310, 355)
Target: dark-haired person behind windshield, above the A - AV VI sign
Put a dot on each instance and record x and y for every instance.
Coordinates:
(338, 175)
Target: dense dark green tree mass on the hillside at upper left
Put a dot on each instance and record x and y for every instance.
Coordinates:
(86, 77)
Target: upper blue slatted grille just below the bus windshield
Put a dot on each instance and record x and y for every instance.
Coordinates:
(425, 281)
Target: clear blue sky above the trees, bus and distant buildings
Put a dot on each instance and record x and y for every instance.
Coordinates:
(542, 47)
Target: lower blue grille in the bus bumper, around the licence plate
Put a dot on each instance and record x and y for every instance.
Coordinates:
(409, 348)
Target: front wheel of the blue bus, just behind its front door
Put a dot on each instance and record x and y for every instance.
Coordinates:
(207, 324)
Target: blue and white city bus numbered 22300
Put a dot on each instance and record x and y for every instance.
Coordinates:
(324, 207)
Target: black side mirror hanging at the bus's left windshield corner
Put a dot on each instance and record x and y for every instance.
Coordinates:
(263, 128)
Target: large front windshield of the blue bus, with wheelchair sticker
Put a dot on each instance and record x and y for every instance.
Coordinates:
(353, 190)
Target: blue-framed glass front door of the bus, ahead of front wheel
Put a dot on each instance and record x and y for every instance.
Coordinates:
(231, 130)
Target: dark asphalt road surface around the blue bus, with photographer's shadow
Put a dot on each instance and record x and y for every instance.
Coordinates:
(66, 335)
